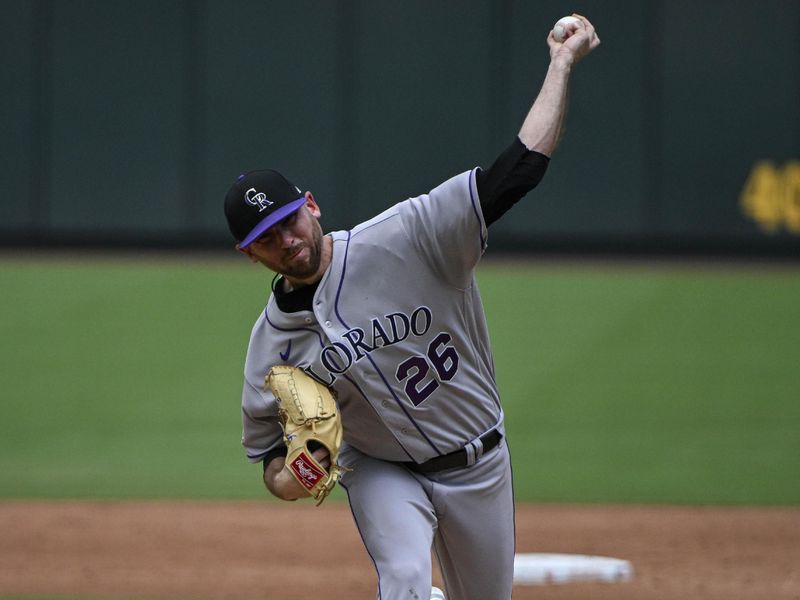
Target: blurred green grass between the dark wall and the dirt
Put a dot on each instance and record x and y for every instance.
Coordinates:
(656, 384)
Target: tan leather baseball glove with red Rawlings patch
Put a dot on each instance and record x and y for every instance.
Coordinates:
(309, 415)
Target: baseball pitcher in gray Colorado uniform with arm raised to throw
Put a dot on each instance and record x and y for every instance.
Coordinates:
(371, 364)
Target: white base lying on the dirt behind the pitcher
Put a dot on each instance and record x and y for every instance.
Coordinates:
(544, 569)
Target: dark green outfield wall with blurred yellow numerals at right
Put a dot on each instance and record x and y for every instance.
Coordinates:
(124, 122)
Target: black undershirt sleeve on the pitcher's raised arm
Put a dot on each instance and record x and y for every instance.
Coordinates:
(515, 173)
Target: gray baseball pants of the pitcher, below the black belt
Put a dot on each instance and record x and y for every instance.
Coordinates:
(466, 516)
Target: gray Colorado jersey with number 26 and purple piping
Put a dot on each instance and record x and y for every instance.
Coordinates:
(414, 379)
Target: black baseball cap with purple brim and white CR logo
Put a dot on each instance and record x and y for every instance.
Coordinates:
(258, 200)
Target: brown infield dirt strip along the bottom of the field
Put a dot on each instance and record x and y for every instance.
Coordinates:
(274, 551)
